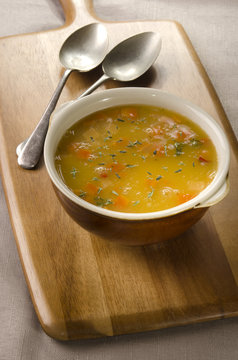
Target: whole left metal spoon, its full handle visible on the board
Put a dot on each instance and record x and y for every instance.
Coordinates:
(83, 51)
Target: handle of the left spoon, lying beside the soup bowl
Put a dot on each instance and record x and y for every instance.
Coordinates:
(32, 150)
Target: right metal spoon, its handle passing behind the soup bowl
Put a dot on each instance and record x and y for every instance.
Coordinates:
(125, 62)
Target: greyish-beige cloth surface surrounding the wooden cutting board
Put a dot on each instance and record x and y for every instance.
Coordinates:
(212, 28)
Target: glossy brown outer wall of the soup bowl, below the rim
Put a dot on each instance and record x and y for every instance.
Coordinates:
(131, 232)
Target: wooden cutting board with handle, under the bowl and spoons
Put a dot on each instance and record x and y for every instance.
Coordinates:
(82, 286)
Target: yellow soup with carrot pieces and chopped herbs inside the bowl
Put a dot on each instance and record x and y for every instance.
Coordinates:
(136, 159)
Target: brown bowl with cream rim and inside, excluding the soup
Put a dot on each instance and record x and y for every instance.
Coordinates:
(73, 111)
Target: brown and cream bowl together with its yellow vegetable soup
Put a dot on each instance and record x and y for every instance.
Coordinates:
(136, 165)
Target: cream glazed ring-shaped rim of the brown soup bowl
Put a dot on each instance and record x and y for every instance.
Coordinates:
(106, 98)
